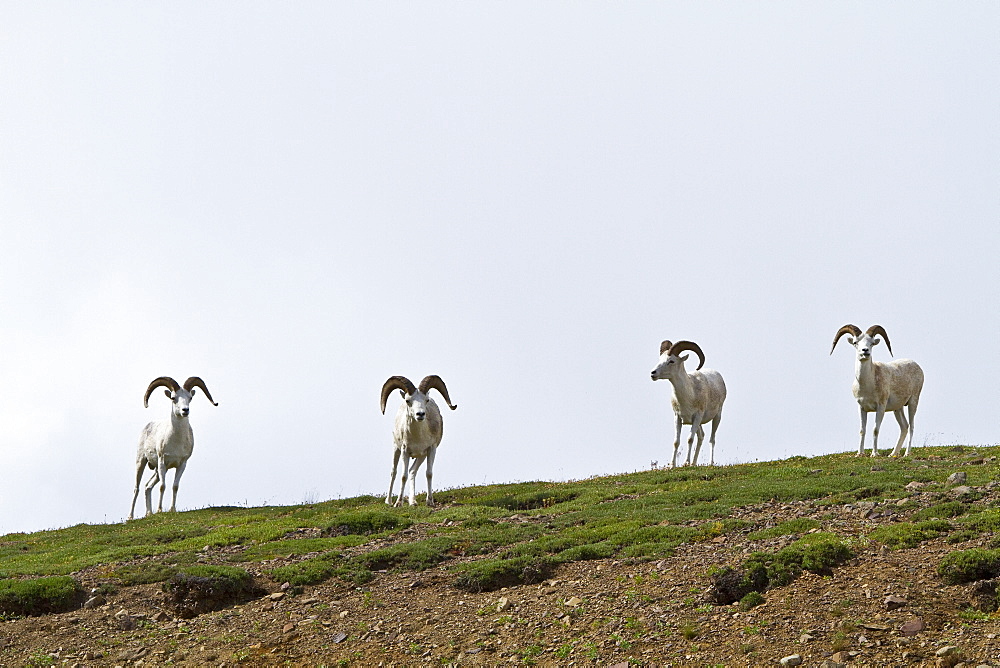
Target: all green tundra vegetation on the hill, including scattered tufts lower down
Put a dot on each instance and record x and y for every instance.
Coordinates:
(487, 537)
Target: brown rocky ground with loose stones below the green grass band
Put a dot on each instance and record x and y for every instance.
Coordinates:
(608, 613)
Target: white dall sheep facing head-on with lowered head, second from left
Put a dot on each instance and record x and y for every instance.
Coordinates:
(417, 431)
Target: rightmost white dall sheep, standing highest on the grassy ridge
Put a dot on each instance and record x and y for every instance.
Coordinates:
(882, 386)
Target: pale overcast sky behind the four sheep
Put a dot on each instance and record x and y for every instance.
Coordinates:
(297, 200)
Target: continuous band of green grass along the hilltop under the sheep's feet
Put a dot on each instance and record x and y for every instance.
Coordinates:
(638, 516)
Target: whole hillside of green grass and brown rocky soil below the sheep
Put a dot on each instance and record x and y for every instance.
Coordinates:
(836, 559)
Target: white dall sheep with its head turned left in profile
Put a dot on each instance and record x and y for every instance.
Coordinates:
(697, 398)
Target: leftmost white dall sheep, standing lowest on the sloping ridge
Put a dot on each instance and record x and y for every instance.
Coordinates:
(167, 444)
